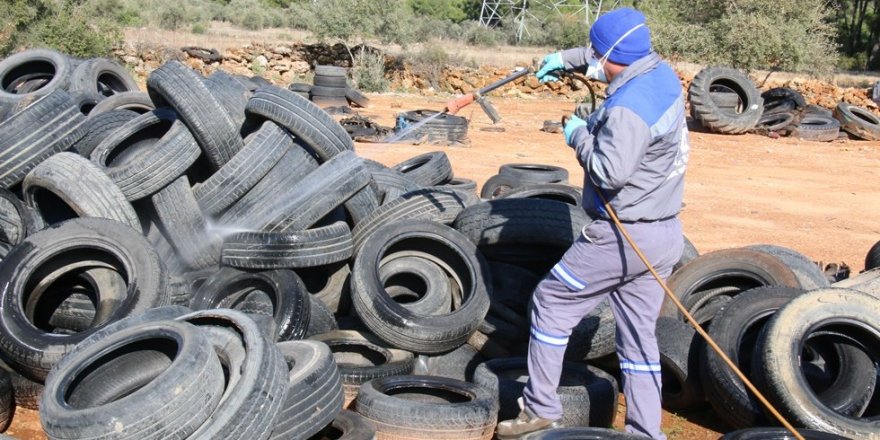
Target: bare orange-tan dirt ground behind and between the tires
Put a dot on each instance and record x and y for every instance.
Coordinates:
(822, 199)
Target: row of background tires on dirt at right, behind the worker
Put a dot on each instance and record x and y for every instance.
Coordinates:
(725, 100)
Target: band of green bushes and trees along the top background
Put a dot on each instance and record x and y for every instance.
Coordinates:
(799, 35)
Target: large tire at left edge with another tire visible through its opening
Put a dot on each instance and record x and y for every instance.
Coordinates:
(74, 244)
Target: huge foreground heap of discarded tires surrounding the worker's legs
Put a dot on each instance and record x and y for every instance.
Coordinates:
(220, 263)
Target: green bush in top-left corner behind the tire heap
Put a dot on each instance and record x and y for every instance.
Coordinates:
(69, 26)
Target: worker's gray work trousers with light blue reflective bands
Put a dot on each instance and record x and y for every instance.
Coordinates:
(600, 265)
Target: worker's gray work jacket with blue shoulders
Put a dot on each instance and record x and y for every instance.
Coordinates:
(634, 148)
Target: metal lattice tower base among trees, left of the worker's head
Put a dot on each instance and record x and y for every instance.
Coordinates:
(493, 11)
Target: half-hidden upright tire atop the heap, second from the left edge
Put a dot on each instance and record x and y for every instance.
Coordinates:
(101, 77)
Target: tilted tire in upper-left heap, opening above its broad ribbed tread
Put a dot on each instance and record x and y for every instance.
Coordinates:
(147, 154)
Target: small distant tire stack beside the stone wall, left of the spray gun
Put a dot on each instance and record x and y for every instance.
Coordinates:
(330, 89)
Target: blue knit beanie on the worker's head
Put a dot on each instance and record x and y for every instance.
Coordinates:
(611, 26)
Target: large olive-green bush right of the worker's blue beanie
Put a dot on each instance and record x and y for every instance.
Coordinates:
(752, 34)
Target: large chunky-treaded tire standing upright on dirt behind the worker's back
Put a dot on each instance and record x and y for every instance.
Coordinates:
(707, 112)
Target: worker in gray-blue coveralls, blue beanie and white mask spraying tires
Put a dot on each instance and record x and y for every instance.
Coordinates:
(634, 151)
